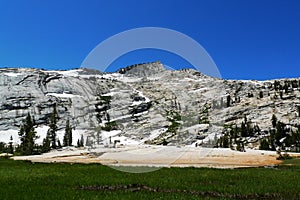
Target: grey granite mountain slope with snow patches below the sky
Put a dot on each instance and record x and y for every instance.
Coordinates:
(146, 103)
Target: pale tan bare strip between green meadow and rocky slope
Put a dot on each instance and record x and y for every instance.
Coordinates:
(160, 156)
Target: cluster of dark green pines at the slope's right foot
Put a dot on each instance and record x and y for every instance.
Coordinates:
(280, 136)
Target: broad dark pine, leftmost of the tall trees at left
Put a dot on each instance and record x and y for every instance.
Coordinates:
(27, 136)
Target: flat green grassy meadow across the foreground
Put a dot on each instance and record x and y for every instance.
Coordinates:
(25, 180)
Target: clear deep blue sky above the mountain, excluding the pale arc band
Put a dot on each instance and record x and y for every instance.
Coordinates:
(247, 39)
